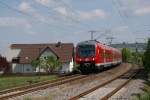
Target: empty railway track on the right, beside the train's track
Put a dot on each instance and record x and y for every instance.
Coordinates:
(105, 96)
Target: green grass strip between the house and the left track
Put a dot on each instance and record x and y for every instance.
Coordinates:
(14, 81)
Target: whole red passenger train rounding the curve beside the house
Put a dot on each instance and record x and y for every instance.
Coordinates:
(93, 55)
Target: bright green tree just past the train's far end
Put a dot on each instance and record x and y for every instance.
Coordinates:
(126, 55)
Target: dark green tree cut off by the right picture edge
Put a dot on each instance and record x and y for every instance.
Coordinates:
(147, 57)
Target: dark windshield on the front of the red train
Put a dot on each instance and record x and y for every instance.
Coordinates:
(86, 50)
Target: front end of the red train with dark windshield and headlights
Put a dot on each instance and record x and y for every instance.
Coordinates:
(85, 56)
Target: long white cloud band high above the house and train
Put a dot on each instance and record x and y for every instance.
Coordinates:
(77, 15)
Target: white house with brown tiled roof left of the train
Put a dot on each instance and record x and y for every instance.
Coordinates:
(26, 53)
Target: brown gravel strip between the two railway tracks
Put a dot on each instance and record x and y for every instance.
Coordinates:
(73, 88)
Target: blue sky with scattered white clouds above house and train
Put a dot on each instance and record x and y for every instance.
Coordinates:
(46, 21)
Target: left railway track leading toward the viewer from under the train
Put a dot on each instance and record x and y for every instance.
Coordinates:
(9, 93)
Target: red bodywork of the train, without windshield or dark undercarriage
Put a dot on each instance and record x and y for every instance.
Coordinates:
(104, 55)
